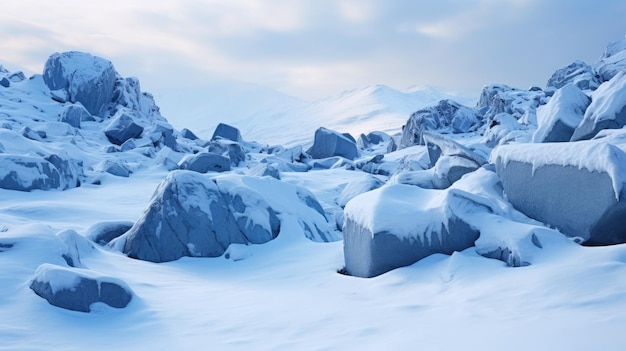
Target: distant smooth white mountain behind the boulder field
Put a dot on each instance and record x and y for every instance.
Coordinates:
(270, 117)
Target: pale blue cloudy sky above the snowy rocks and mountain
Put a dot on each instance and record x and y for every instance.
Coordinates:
(315, 48)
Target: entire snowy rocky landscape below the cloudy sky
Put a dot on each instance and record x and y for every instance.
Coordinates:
(283, 278)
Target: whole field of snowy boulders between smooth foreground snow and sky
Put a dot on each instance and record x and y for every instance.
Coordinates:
(520, 171)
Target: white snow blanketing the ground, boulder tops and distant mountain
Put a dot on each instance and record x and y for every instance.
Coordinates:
(286, 294)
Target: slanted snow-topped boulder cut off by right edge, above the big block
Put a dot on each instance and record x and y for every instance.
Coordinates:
(607, 109)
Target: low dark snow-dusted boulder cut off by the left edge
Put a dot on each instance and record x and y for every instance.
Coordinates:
(26, 173)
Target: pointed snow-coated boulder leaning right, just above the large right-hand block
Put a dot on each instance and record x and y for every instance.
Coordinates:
(558, 119)
